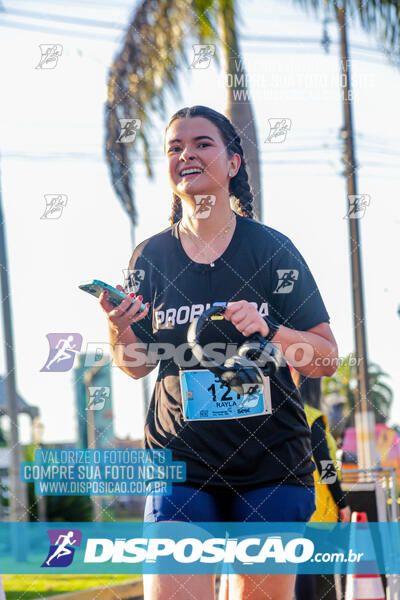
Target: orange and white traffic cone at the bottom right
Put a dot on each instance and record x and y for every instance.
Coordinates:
(360, 586)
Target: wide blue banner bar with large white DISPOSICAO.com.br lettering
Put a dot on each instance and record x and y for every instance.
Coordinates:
(177, 547)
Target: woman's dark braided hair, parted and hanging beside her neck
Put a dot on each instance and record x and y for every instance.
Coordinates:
(239, 186)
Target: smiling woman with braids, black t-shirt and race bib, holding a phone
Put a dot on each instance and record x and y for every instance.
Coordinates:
(253, 468)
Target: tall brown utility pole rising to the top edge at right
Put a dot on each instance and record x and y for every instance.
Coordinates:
(364, 415)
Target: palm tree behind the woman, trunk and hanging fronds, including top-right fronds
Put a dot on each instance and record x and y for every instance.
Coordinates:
(153, 54)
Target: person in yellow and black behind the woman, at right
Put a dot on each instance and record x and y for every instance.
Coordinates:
(330, 499)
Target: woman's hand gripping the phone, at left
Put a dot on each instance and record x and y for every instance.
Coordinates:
(120, 317)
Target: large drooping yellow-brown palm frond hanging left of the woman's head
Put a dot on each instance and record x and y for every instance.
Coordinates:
(148, 64)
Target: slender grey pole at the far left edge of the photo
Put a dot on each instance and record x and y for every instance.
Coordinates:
(18, 491)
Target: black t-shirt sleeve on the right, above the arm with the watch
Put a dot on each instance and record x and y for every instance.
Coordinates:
(294, 298)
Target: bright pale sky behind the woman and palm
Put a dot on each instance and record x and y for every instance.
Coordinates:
(52, 133)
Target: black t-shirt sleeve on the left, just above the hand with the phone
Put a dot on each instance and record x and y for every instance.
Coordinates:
(138, 279)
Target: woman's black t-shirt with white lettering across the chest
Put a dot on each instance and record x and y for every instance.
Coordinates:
(258, 263)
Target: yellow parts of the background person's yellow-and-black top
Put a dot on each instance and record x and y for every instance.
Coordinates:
(327, 510)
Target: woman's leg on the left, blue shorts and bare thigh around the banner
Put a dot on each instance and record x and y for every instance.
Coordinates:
(188, 505)
